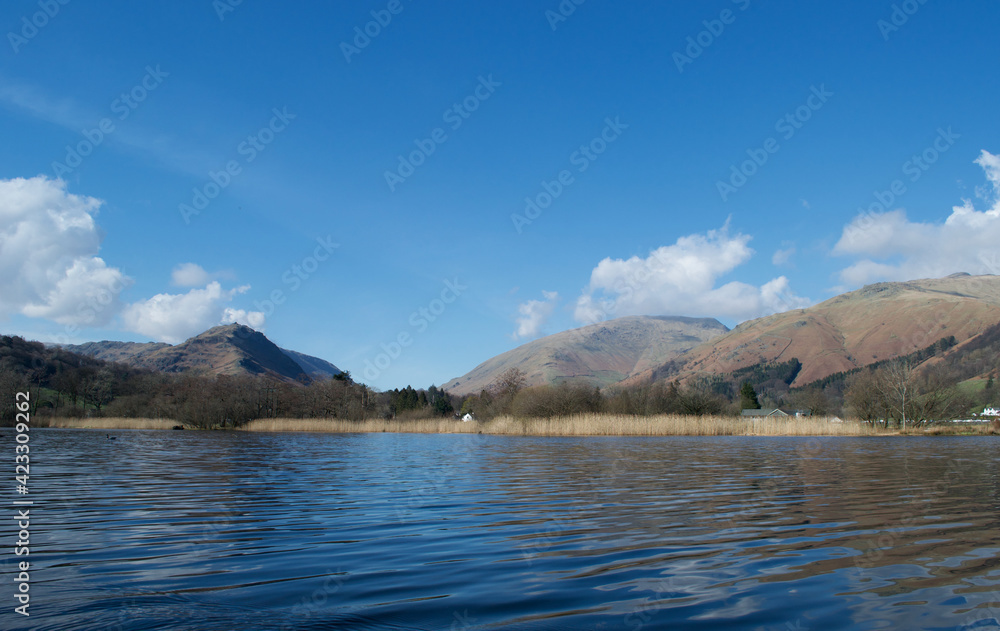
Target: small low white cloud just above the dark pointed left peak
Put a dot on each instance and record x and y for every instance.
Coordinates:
(173, 318)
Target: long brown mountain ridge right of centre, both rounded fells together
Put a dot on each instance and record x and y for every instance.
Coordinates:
(876, 322)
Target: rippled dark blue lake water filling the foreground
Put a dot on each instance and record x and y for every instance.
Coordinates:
(198, 530)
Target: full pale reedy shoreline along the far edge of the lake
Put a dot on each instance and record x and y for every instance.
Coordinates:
(579, 425)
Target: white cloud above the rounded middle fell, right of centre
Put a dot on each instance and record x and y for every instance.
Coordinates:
(680, 279)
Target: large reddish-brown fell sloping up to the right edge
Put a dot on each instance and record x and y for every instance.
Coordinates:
(876, 322)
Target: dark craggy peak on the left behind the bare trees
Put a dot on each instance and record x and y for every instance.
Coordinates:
(232, 349)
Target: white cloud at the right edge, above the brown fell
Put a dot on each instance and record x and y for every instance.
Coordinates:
(891, 247)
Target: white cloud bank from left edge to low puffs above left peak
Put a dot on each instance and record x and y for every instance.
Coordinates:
(49, 269)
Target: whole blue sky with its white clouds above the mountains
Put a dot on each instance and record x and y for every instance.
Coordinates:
(726, 159)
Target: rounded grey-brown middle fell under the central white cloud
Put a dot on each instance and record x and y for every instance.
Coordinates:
(600, 354)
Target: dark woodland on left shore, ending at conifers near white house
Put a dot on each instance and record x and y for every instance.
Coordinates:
(66, 384)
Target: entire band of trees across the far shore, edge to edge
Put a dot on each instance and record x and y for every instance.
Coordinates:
(925, 385)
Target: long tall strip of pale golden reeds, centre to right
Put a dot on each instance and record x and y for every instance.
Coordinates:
(583, 425)
